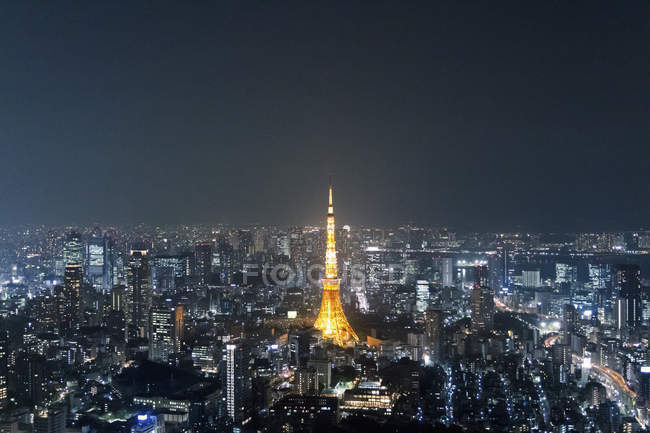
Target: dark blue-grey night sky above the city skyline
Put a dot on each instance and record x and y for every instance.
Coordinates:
(483, 116)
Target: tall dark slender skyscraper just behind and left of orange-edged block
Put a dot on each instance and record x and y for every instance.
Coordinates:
(139, 292)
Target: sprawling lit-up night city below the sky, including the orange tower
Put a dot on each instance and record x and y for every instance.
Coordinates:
(198, 328)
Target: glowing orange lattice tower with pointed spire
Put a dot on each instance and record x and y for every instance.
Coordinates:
(331, 320)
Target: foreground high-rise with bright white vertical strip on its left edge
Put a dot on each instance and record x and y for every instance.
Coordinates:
(238, 382)
